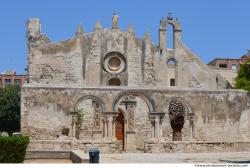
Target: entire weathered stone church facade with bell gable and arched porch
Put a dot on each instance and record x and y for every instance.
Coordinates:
(118, 92)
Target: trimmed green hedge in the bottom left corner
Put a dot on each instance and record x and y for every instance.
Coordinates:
(13, 149)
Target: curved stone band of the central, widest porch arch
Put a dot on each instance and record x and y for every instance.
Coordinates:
(150, 103)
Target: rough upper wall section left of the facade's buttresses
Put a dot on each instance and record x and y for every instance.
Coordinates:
(56, 64)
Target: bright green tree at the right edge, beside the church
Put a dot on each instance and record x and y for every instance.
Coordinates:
(243, 78)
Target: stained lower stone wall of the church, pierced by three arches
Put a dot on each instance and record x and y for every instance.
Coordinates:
(218, 115)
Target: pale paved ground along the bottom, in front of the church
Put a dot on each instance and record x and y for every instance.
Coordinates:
(233, 157)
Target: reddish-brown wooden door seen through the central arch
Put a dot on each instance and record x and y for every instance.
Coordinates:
(119, 128)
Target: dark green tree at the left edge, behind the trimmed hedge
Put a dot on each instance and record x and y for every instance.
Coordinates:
(10, 109)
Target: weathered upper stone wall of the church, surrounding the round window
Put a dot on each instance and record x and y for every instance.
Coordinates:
(80, 61)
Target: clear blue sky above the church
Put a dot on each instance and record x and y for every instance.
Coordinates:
(211, 28)
